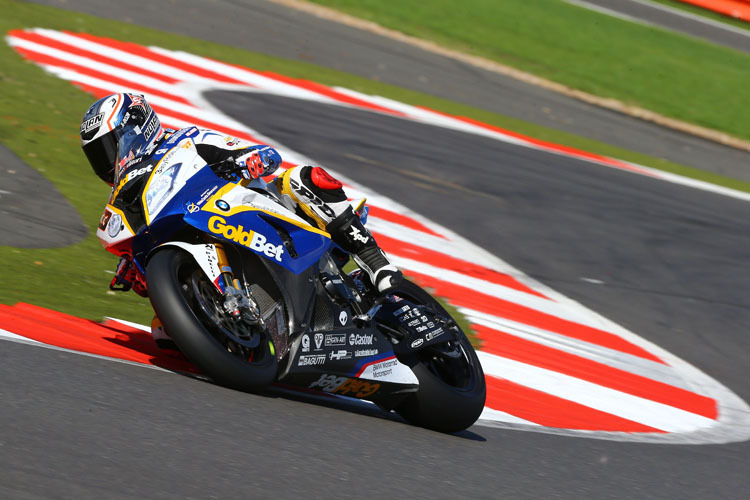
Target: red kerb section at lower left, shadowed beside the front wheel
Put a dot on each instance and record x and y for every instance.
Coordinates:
(112, 340)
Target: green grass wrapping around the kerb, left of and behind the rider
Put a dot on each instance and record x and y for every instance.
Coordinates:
(39, 120)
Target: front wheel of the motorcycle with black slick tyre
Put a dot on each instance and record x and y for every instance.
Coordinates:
(188, 306)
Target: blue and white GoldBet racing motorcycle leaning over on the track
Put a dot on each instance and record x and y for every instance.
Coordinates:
(253, 294)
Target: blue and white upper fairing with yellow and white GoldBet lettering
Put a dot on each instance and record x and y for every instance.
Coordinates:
(182, 189)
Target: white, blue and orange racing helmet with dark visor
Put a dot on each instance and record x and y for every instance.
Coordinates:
(117, 129)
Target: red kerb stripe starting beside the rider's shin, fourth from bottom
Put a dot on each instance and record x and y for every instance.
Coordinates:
(443, 261)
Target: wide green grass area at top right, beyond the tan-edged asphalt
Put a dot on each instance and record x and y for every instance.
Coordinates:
(669, 73)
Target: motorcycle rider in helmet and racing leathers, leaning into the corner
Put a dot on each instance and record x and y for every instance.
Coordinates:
(121, 130)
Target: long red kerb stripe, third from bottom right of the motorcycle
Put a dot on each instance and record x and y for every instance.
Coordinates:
(478, 301)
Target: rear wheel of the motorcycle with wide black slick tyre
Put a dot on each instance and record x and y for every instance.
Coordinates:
(452, 389)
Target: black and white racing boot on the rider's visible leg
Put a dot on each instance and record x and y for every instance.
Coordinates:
(348, 232)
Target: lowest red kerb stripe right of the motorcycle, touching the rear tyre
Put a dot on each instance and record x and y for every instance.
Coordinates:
(551, 411)
